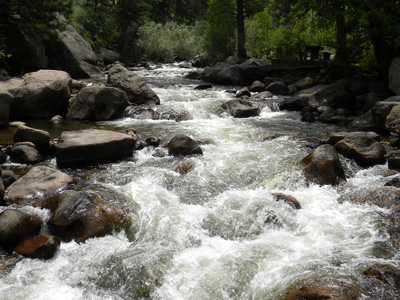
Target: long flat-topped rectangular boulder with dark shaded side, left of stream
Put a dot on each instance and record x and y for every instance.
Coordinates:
(77, 148)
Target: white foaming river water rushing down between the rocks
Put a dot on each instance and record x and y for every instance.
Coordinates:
(215, 232)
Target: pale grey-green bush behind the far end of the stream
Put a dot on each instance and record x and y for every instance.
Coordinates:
(166, 43)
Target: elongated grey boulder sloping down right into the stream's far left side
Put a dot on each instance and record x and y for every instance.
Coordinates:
(136, 89)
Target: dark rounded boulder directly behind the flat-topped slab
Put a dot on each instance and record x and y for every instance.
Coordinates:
(98, 103)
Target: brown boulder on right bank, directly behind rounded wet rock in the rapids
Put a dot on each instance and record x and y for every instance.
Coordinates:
(365, 150)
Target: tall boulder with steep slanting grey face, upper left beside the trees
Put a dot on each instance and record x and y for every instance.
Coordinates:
(70, 52)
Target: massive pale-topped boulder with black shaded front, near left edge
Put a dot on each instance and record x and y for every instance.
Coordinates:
(40, 95)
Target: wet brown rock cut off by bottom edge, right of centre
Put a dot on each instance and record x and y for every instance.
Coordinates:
(323, 287)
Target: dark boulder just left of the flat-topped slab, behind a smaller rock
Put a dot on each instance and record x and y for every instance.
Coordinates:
(40, 138)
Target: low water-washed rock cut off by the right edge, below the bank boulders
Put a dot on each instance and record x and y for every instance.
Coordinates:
(386, 197)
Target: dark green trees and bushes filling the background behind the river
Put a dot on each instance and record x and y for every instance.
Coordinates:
(363, 33)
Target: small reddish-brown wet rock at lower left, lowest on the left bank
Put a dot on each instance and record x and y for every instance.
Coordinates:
(42, 246)
